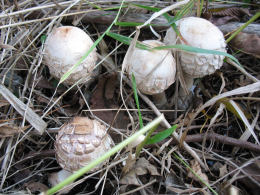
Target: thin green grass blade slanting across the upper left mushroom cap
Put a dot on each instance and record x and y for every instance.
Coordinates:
(67, 74)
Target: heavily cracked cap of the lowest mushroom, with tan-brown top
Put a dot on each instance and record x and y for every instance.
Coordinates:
(81, 141)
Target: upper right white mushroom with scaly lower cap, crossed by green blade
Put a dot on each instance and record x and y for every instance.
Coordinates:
(201, 33)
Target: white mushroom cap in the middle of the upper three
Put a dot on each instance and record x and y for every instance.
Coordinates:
(154, 70)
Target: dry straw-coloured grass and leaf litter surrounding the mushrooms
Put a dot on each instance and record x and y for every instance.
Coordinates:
(27, 158)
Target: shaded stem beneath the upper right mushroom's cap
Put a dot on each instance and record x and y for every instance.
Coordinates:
(184, 99)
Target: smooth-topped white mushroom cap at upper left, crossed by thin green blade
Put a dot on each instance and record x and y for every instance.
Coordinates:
(63, 48)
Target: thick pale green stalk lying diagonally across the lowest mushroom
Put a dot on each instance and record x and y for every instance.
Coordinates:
(115, 149)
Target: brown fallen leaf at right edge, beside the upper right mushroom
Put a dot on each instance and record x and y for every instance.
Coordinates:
(247, 43)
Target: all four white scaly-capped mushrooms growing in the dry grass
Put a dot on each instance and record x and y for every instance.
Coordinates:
(82, 140)
